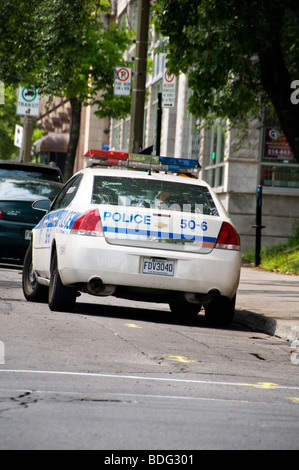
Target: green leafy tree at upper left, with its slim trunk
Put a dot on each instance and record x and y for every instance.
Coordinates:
(65, 48)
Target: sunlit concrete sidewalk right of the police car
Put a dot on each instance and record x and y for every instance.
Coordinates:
(269, 302)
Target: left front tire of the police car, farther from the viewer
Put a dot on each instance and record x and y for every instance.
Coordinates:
(33, 291)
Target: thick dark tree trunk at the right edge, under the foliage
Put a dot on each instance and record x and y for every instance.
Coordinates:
(277, 81)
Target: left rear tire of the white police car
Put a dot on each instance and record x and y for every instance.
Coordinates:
(61, 298)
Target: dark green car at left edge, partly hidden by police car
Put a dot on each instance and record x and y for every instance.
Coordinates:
(17, 217)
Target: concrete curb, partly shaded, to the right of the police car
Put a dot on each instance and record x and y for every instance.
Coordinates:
(267, 325)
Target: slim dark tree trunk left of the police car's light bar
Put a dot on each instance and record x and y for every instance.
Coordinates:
(74, 138)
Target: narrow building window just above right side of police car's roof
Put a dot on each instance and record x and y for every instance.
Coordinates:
(214, 170)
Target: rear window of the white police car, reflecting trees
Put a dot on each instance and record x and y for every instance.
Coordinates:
(153, 194)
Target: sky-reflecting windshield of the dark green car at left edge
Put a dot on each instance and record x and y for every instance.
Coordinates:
(27, 190)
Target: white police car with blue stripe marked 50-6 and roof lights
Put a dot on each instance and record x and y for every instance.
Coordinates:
(136, 227)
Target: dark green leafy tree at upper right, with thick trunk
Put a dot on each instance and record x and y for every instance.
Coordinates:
(239, 56)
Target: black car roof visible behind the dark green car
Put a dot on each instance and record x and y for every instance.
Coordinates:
(30, 170)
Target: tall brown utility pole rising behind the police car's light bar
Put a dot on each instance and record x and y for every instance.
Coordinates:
(139, 78)
